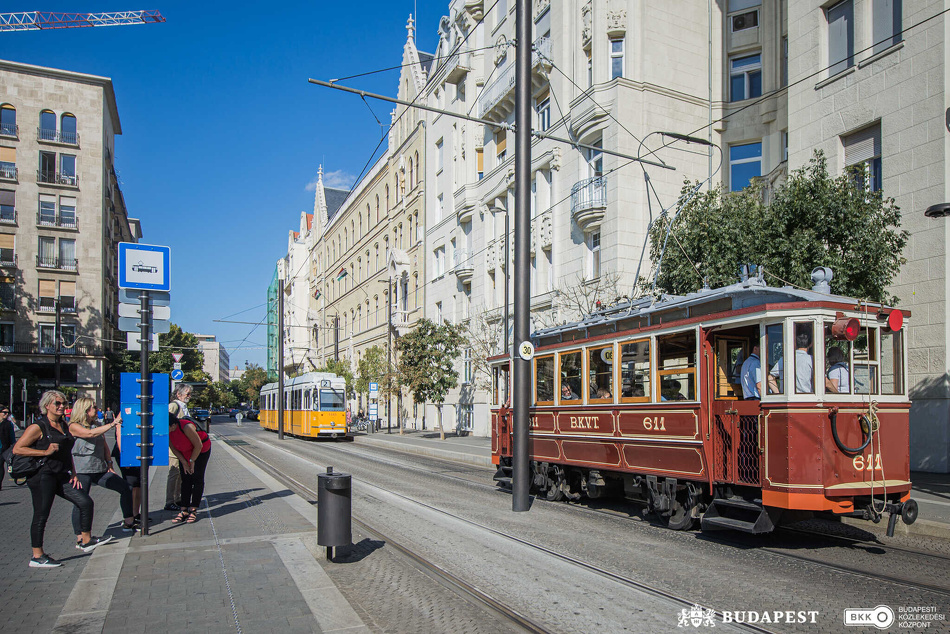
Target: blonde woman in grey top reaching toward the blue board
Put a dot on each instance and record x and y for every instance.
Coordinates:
(93, 462)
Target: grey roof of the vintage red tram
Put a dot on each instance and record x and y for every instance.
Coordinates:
(747, 294)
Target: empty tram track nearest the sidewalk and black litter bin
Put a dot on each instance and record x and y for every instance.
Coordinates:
(464, 587)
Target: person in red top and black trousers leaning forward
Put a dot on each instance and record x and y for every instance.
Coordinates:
(192, 447)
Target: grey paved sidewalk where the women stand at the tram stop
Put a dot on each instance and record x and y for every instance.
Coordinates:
(249, 564)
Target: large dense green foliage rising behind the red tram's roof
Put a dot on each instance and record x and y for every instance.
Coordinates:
(813, 219)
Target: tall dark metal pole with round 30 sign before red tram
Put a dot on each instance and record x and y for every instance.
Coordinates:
(521, 459)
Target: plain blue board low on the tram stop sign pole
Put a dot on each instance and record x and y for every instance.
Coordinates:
(131, 409)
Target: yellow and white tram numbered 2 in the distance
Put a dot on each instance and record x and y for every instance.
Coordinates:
(314, 406)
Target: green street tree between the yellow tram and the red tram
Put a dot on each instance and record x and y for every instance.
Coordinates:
(427, 361)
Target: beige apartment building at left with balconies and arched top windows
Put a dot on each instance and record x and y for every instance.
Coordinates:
(62, 214)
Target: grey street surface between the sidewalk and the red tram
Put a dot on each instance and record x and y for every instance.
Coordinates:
(748, 575)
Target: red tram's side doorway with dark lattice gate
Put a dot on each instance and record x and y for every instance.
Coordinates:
(734, 420)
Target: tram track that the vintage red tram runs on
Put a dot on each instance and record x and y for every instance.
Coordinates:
(722, 538)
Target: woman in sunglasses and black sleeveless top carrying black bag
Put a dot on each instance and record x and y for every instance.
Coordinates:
(49, 438)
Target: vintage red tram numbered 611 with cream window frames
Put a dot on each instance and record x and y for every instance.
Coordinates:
(646, 400)
